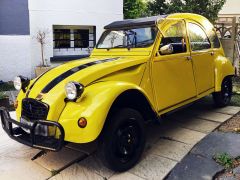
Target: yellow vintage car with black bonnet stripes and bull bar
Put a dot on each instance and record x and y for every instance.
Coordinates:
(139, 70)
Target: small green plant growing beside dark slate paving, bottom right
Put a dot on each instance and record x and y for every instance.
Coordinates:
(225, 160)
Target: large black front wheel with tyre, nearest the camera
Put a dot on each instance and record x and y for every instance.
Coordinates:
(123, 140)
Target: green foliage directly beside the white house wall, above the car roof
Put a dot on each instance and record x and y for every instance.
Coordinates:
(133, 9)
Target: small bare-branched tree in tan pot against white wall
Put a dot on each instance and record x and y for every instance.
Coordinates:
(41, 39)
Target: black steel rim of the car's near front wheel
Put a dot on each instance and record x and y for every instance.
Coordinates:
(126, 141)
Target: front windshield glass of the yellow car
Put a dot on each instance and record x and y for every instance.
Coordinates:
(128, 38)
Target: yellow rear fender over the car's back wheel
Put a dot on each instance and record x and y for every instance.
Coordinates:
(223, 68)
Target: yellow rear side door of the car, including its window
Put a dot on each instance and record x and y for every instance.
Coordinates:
(202, 57)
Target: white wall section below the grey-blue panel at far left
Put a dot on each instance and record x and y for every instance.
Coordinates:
(14, 56)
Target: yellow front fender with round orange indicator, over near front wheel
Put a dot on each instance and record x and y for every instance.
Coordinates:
(94, 105)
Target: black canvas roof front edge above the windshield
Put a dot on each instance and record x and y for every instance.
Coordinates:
(134, 22)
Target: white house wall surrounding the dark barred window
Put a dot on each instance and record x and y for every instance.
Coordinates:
(44, 14)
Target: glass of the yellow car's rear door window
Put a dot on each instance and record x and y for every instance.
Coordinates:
(198, 38)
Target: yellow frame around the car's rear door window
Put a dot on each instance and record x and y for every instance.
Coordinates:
(189, 38)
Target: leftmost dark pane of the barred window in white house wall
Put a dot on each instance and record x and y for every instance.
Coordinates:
(62, 38)
